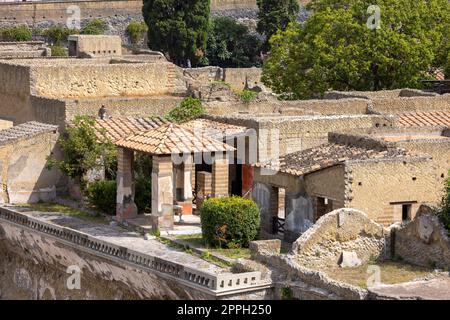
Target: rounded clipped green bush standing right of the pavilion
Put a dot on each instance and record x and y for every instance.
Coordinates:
(230, 221)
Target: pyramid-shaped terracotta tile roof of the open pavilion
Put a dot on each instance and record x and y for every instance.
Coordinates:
(171, 138)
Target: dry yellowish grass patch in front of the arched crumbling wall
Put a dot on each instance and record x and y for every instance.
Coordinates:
(392, 272)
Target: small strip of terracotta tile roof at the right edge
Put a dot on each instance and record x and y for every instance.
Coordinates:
(424, 119)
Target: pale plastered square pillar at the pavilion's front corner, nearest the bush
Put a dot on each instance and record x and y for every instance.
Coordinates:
(162, 193)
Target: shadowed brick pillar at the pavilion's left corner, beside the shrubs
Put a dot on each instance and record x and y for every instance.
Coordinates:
(126, 208)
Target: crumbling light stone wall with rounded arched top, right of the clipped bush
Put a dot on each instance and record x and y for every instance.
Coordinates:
(342, 230)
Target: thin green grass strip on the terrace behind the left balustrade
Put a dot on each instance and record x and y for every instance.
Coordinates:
(56, 208)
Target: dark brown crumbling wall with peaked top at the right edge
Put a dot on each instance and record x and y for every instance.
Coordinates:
(424, 241)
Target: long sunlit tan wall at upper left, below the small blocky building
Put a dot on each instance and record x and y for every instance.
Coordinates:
(94, 79)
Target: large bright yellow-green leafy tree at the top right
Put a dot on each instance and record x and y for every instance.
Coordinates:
(336, 49)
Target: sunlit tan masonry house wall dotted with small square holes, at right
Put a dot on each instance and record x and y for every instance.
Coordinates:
(376, 187)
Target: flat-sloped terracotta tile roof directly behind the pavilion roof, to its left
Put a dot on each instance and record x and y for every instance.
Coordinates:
(121, 127)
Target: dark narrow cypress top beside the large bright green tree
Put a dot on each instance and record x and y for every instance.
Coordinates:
(275, 15)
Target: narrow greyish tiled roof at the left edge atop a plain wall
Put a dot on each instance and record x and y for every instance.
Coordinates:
(25, 130)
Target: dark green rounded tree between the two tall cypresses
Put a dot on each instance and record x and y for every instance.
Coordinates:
(230, 44)
